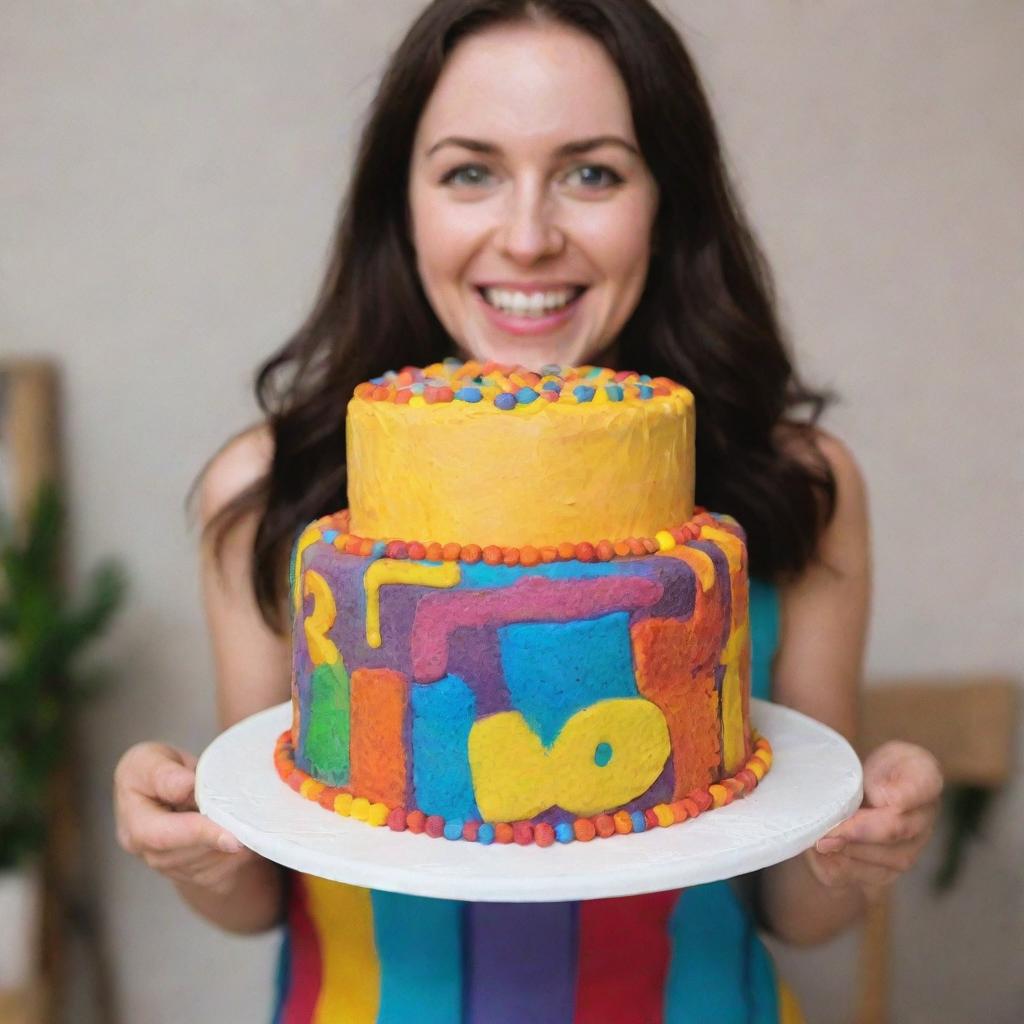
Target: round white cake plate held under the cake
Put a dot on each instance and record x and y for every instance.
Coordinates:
(815, 784)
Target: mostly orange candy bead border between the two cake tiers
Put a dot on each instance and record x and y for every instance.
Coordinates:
(334, 530)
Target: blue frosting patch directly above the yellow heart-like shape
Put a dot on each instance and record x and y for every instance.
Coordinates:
(556, 669)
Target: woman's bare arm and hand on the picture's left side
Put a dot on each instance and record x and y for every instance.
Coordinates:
(155, 784)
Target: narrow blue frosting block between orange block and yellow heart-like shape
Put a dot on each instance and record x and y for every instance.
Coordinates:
(443, 715)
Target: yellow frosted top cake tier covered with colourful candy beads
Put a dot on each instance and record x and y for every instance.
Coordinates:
(491, 455)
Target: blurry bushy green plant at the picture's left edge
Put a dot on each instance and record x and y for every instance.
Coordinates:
(44, 633)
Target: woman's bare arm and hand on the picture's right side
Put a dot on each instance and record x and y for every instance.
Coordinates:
(819, 672)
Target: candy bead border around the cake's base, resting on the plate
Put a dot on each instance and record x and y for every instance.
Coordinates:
(342, 801)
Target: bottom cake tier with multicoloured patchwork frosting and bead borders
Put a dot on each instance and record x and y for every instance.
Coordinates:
(522, 696)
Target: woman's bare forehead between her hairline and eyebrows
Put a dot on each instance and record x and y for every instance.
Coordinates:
(539, 83)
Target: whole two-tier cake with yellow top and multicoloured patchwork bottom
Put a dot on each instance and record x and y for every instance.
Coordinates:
(521, 630)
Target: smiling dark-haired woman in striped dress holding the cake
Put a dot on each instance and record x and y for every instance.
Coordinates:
(542, 183)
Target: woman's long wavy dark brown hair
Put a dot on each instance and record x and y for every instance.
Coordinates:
(706, 317)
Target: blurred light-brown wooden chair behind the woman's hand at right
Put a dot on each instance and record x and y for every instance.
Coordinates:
(969, 726)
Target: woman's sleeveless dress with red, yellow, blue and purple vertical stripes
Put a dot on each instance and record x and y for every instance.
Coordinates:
(354, 956)
